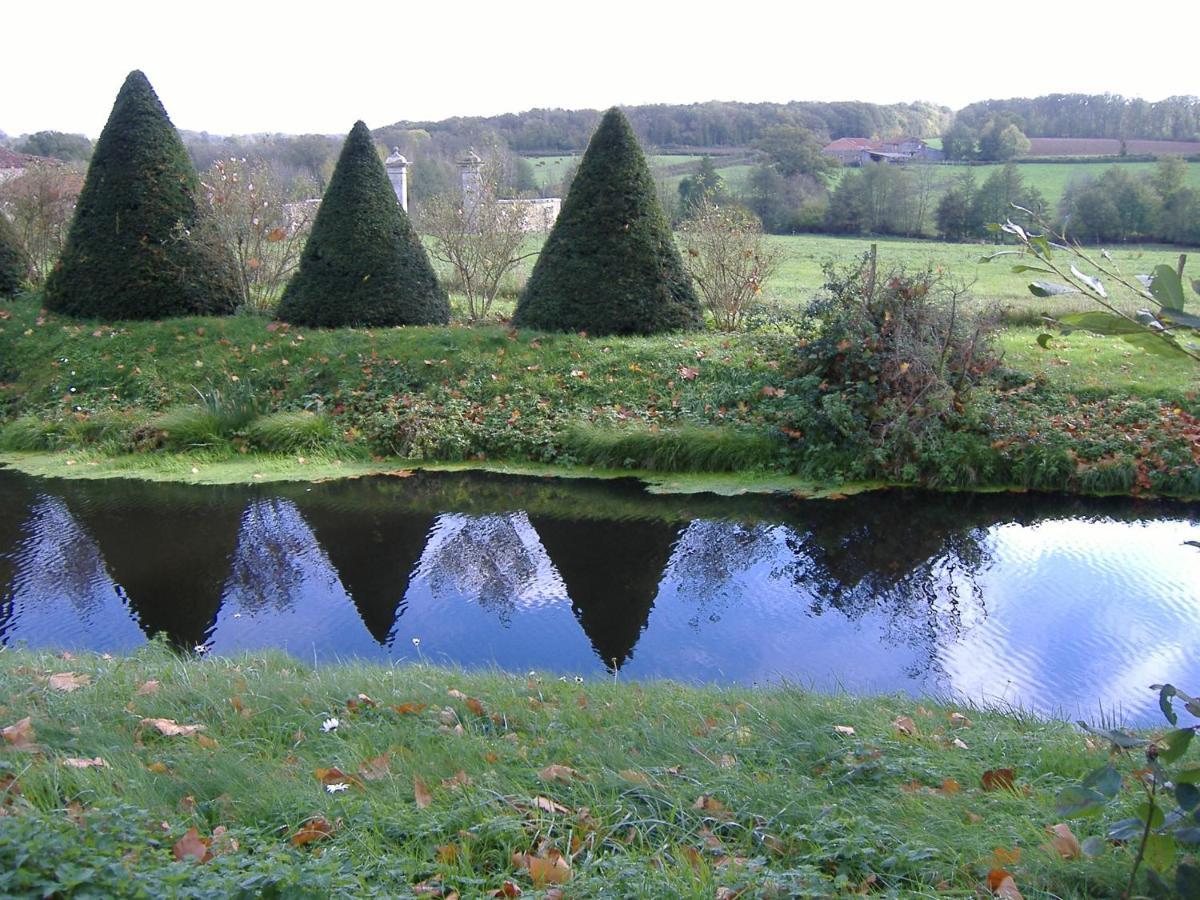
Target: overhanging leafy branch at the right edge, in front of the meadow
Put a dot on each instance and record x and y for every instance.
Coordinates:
(1157, 328)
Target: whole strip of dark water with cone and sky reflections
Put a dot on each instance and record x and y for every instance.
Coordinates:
(1064, 607)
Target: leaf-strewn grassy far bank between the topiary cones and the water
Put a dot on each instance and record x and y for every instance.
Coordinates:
(178, 398)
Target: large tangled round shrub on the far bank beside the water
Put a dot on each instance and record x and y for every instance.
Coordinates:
(886, 362)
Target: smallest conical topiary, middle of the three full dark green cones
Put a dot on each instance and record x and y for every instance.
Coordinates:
(364, 263)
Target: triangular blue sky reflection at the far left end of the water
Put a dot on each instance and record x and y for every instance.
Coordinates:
(63, 597)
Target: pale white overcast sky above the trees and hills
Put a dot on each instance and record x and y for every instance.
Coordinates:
(232, 69)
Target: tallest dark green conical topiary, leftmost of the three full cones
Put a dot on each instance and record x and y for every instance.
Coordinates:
(137, 248)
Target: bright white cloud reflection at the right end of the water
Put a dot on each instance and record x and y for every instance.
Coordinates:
(1084, 614)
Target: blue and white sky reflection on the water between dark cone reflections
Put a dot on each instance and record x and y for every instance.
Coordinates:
(1058, 616)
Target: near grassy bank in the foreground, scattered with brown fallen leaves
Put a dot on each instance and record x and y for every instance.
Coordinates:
(451, 778)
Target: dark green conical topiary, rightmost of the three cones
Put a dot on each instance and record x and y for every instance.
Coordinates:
(610, 265)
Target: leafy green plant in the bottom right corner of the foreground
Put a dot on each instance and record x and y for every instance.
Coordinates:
(1159, 833)
